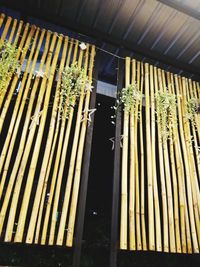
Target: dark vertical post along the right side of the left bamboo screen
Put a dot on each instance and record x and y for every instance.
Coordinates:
(85, 172)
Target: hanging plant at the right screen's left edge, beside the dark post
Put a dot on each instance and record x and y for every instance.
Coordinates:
(129, 97)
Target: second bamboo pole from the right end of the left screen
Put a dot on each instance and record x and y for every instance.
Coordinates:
(68, 187)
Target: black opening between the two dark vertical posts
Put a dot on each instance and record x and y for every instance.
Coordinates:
(99, 197)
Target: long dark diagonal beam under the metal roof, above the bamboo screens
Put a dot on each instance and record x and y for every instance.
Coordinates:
(101, 36)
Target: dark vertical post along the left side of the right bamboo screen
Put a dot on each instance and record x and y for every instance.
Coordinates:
(116, 175)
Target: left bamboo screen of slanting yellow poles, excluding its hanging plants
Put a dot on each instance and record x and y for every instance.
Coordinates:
(41, 151)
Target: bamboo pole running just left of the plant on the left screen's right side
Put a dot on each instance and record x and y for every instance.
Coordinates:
(40, 184)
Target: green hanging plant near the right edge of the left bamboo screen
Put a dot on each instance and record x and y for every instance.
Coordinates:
(73, 80)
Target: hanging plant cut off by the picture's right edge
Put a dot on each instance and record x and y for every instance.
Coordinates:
(193, 108)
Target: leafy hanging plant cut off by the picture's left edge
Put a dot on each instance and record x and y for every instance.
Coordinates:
(8, 64)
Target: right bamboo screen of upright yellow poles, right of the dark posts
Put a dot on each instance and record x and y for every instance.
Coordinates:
(160, 167)
